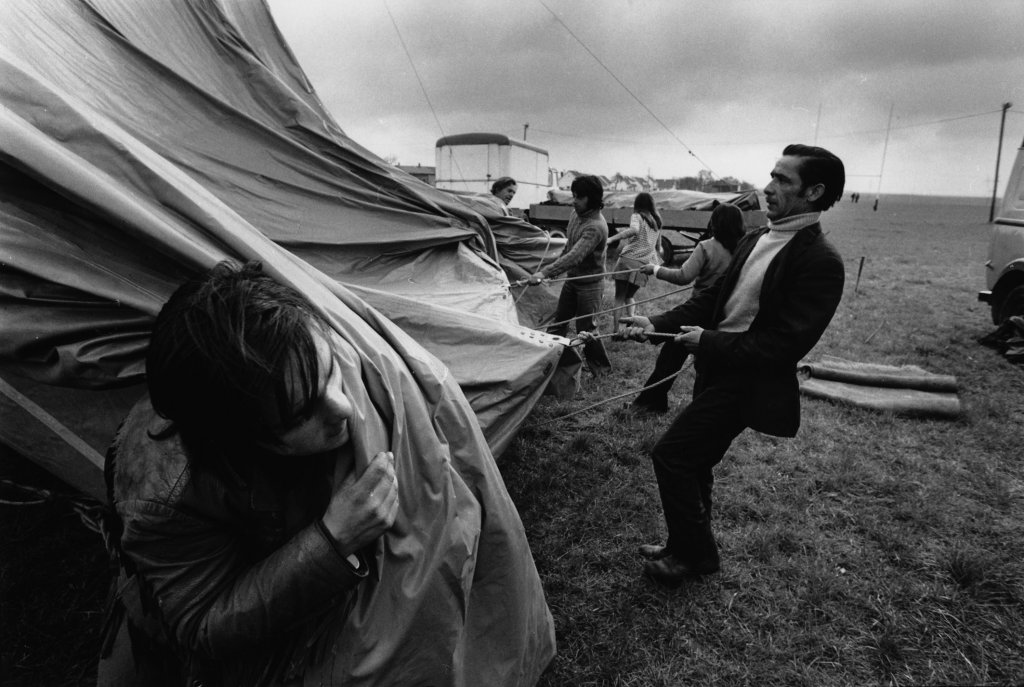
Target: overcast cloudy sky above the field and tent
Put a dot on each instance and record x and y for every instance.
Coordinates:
(674, 87)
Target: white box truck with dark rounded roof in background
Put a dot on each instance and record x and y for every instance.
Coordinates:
(472, 162)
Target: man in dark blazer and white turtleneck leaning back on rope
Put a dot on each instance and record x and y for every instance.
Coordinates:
(749, 331)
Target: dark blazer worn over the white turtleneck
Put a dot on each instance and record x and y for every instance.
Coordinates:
(801, 291)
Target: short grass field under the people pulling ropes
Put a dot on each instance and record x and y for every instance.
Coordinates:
(872, 549)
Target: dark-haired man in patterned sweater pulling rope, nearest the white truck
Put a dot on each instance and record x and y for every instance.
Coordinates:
(583, 261)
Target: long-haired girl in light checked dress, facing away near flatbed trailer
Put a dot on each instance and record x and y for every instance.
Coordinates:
(637, 249)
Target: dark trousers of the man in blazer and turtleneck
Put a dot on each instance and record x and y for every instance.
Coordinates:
(684, 458)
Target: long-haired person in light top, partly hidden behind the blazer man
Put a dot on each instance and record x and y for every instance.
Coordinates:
(704, 268)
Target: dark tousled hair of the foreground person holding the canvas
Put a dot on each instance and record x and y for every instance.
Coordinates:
(228, 350)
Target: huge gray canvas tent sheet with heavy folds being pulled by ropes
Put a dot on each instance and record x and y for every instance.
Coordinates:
(142, 143)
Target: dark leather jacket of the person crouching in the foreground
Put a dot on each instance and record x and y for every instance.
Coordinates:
(234, 567)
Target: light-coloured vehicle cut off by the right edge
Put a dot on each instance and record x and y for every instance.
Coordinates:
(1005, 269)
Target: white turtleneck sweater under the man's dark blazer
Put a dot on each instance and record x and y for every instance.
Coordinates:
(746, 297)
